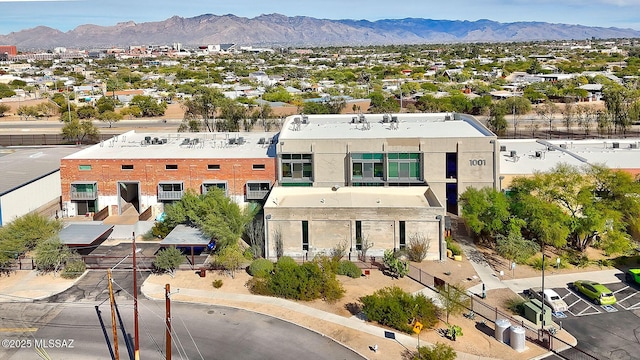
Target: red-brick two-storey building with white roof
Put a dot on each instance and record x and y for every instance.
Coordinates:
(144, 171)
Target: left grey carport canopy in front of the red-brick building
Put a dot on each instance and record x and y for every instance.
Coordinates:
(84, 237)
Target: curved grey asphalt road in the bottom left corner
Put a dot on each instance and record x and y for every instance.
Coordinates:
(72, 331)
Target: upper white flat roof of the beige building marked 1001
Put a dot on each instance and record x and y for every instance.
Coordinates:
(383, 126)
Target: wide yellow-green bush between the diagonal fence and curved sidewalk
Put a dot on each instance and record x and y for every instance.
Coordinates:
(393, 307)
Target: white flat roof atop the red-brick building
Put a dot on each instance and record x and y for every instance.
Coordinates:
(201, 145)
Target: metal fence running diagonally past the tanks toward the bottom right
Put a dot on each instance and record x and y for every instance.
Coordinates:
(542, 338)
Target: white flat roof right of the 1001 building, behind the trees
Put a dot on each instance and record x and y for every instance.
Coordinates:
(533, 155)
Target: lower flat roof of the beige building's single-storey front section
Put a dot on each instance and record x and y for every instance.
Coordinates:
(351, 197)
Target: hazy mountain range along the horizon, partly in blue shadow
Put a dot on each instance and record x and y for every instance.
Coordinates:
(280, 30)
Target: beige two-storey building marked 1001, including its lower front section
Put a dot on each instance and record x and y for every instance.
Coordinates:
(383, 178)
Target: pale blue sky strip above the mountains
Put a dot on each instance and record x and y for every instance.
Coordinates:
(16, 15)
